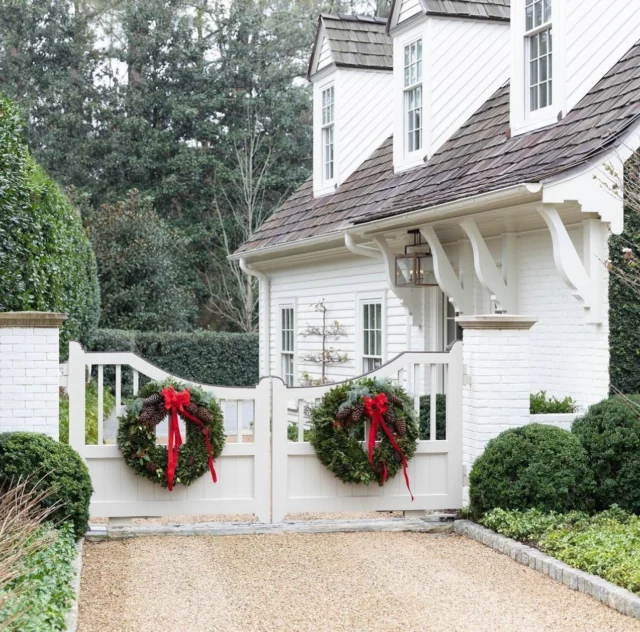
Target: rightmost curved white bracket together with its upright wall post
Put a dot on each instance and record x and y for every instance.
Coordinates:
(587, 279)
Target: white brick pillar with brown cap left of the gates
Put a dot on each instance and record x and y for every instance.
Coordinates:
(29, 372)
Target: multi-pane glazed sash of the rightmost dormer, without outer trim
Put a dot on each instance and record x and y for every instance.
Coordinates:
(539, 51)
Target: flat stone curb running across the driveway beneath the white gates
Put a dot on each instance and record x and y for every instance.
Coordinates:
(102, 532)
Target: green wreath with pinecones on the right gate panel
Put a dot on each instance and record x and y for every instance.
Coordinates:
(338, 428)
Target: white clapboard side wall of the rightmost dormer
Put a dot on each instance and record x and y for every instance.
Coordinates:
(598, 34)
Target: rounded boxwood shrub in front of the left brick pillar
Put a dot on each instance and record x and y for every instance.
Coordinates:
(49, 463)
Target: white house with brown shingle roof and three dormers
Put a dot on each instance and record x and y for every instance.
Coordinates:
(479, 132)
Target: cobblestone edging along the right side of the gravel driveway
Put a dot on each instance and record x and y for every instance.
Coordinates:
(600, 589)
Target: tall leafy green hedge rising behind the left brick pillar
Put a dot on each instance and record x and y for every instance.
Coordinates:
(46, 259)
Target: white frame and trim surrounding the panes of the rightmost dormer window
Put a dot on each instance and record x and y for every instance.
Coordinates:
(522, 118)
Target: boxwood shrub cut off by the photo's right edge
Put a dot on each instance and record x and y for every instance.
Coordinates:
(610, 433)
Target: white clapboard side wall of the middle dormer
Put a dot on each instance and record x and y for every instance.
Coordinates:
(468, 61)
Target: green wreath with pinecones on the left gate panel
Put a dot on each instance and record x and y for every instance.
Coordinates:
(137, 434)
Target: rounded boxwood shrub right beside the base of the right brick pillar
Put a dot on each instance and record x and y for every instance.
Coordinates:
(535, 466)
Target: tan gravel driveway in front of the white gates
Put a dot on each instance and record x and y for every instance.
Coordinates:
(334, 582)
